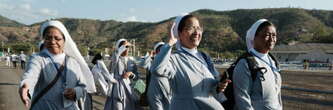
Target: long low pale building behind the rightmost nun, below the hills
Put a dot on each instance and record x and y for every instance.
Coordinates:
(304, 51)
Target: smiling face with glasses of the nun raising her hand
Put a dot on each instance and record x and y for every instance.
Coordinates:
(190, 36)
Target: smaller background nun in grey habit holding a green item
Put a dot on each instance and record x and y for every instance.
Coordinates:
(124, 70)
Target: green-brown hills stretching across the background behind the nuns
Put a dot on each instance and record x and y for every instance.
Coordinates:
(224, 31)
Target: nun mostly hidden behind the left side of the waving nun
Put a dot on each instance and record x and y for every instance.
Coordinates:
(158, 92)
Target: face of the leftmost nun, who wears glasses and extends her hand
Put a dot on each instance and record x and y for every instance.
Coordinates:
(54, 40)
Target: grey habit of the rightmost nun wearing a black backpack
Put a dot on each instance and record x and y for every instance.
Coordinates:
(258, 94)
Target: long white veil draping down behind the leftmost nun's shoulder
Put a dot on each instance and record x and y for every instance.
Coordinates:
(71, 50)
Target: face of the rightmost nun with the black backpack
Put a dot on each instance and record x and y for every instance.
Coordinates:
(265, 40)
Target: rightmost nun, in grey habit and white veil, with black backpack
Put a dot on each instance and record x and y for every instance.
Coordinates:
(263, 93)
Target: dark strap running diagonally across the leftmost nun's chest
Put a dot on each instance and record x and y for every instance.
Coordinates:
(48, 87)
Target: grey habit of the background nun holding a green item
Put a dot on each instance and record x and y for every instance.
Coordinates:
(122, 97)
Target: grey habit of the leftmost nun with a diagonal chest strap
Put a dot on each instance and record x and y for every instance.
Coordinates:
(41, 71)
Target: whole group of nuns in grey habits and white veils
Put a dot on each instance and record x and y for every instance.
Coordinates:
(178, 75)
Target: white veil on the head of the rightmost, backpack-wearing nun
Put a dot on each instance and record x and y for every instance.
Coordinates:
(252, 32)
